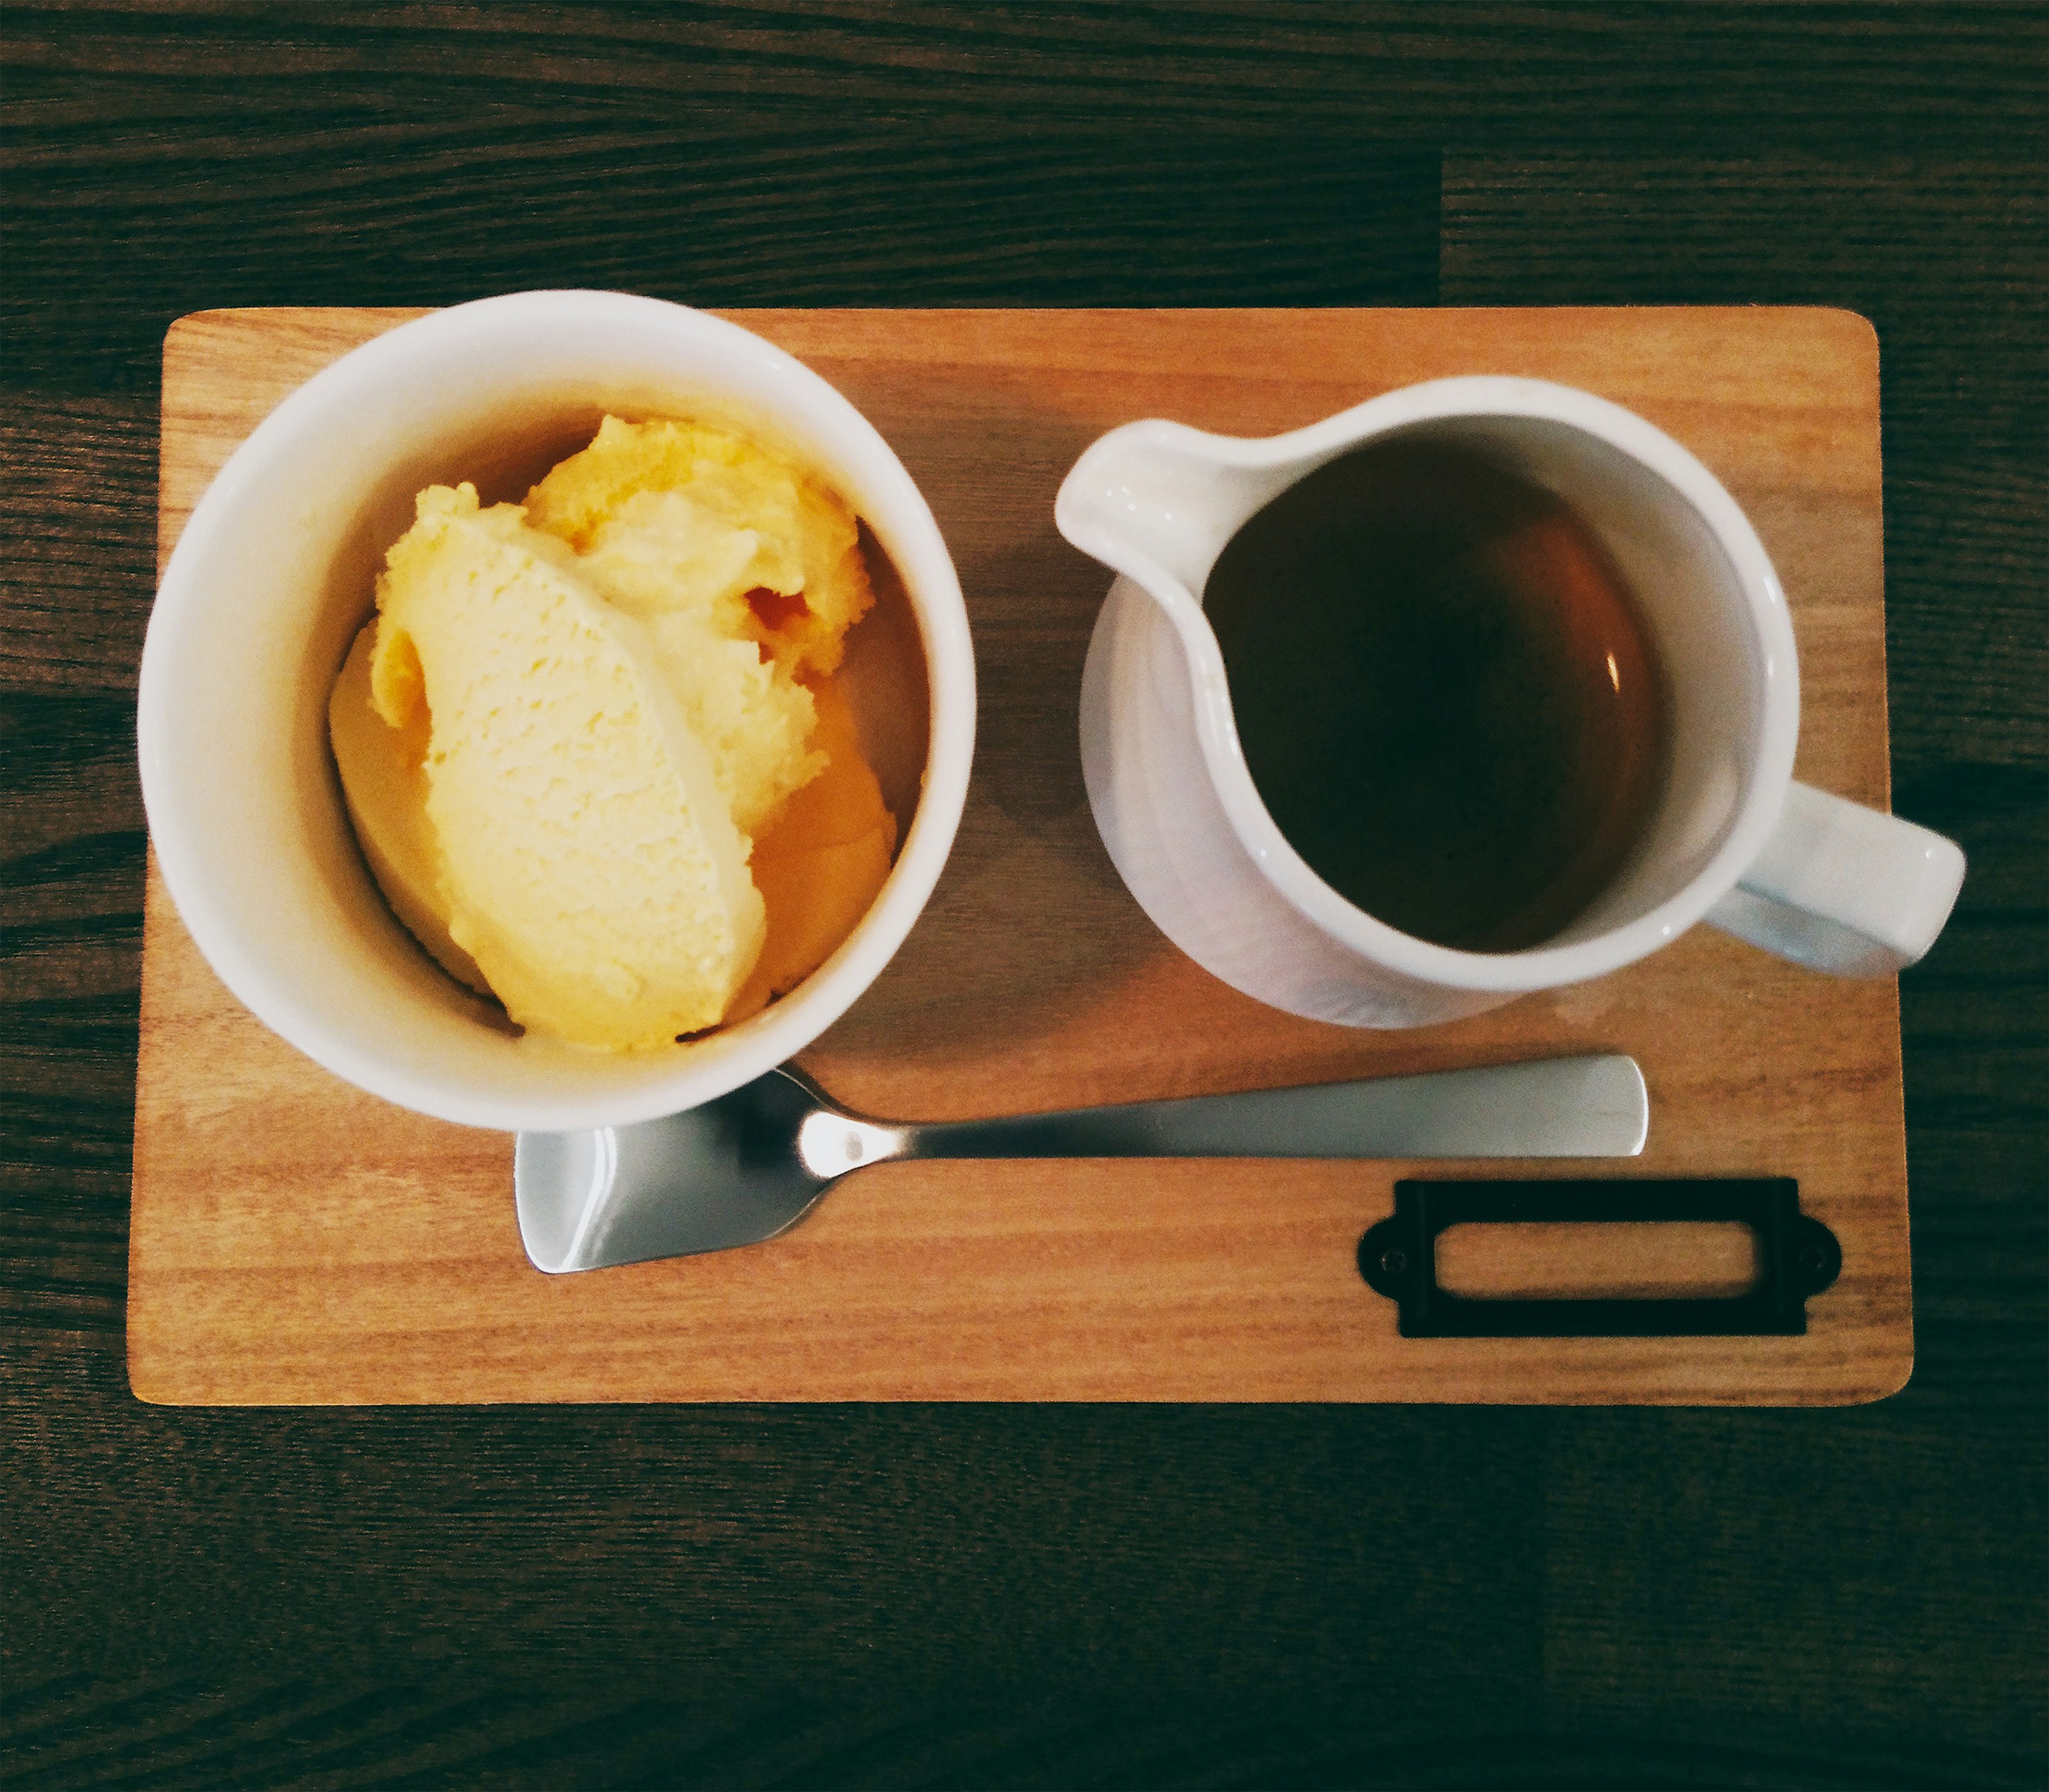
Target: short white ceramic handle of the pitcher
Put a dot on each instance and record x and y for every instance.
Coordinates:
(1847, 890)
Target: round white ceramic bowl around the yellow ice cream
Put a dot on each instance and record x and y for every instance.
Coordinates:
(274, 579)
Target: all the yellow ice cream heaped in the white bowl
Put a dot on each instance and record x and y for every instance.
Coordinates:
(577, 722)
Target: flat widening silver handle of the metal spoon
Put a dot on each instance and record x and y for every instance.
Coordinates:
(1575, 1107)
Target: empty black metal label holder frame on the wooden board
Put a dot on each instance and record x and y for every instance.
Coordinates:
(1798, 1256)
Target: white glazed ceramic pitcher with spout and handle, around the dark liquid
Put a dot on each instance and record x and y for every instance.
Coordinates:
(1734, 839)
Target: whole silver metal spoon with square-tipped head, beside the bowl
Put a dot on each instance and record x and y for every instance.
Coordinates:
(751, 1164)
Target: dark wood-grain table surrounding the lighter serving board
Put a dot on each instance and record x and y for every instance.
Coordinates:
(1026, 1596)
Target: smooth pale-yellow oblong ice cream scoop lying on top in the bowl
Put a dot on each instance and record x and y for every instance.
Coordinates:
(589, 863)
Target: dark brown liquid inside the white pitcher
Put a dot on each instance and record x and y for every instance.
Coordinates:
(1444, 691)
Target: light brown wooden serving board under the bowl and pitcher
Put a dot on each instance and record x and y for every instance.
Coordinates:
(300, 1242)
